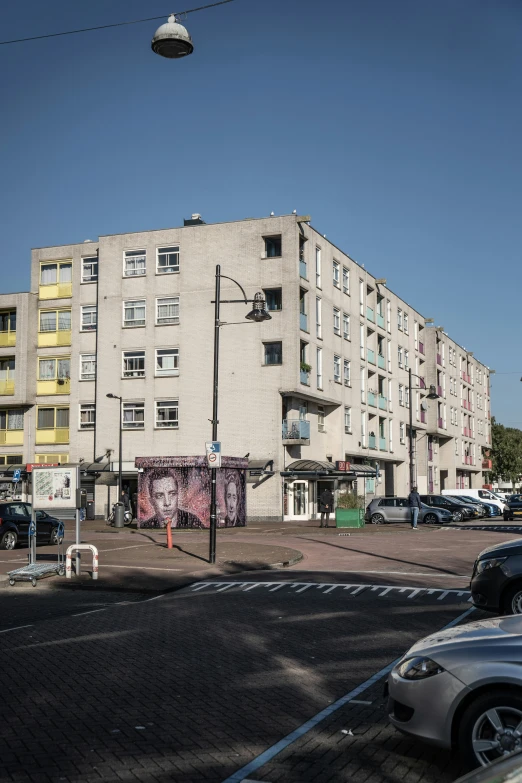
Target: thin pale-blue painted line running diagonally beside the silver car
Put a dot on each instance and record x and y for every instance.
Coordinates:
(274, 750)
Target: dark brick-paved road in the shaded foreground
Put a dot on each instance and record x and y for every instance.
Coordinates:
(192, 686)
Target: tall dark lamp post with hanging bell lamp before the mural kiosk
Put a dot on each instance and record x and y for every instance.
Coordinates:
(257, 314)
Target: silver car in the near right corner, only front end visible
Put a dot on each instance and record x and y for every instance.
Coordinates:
(462, 688)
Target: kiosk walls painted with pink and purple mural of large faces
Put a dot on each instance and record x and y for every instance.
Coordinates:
(178, 489)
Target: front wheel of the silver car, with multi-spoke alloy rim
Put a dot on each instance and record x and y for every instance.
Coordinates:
(488, 728)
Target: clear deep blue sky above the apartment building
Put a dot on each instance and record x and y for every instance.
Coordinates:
(396, 125)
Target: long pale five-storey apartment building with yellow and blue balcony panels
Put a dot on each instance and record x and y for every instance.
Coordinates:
(318, 395)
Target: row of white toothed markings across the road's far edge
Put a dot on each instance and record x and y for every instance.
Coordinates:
(410, 592)
